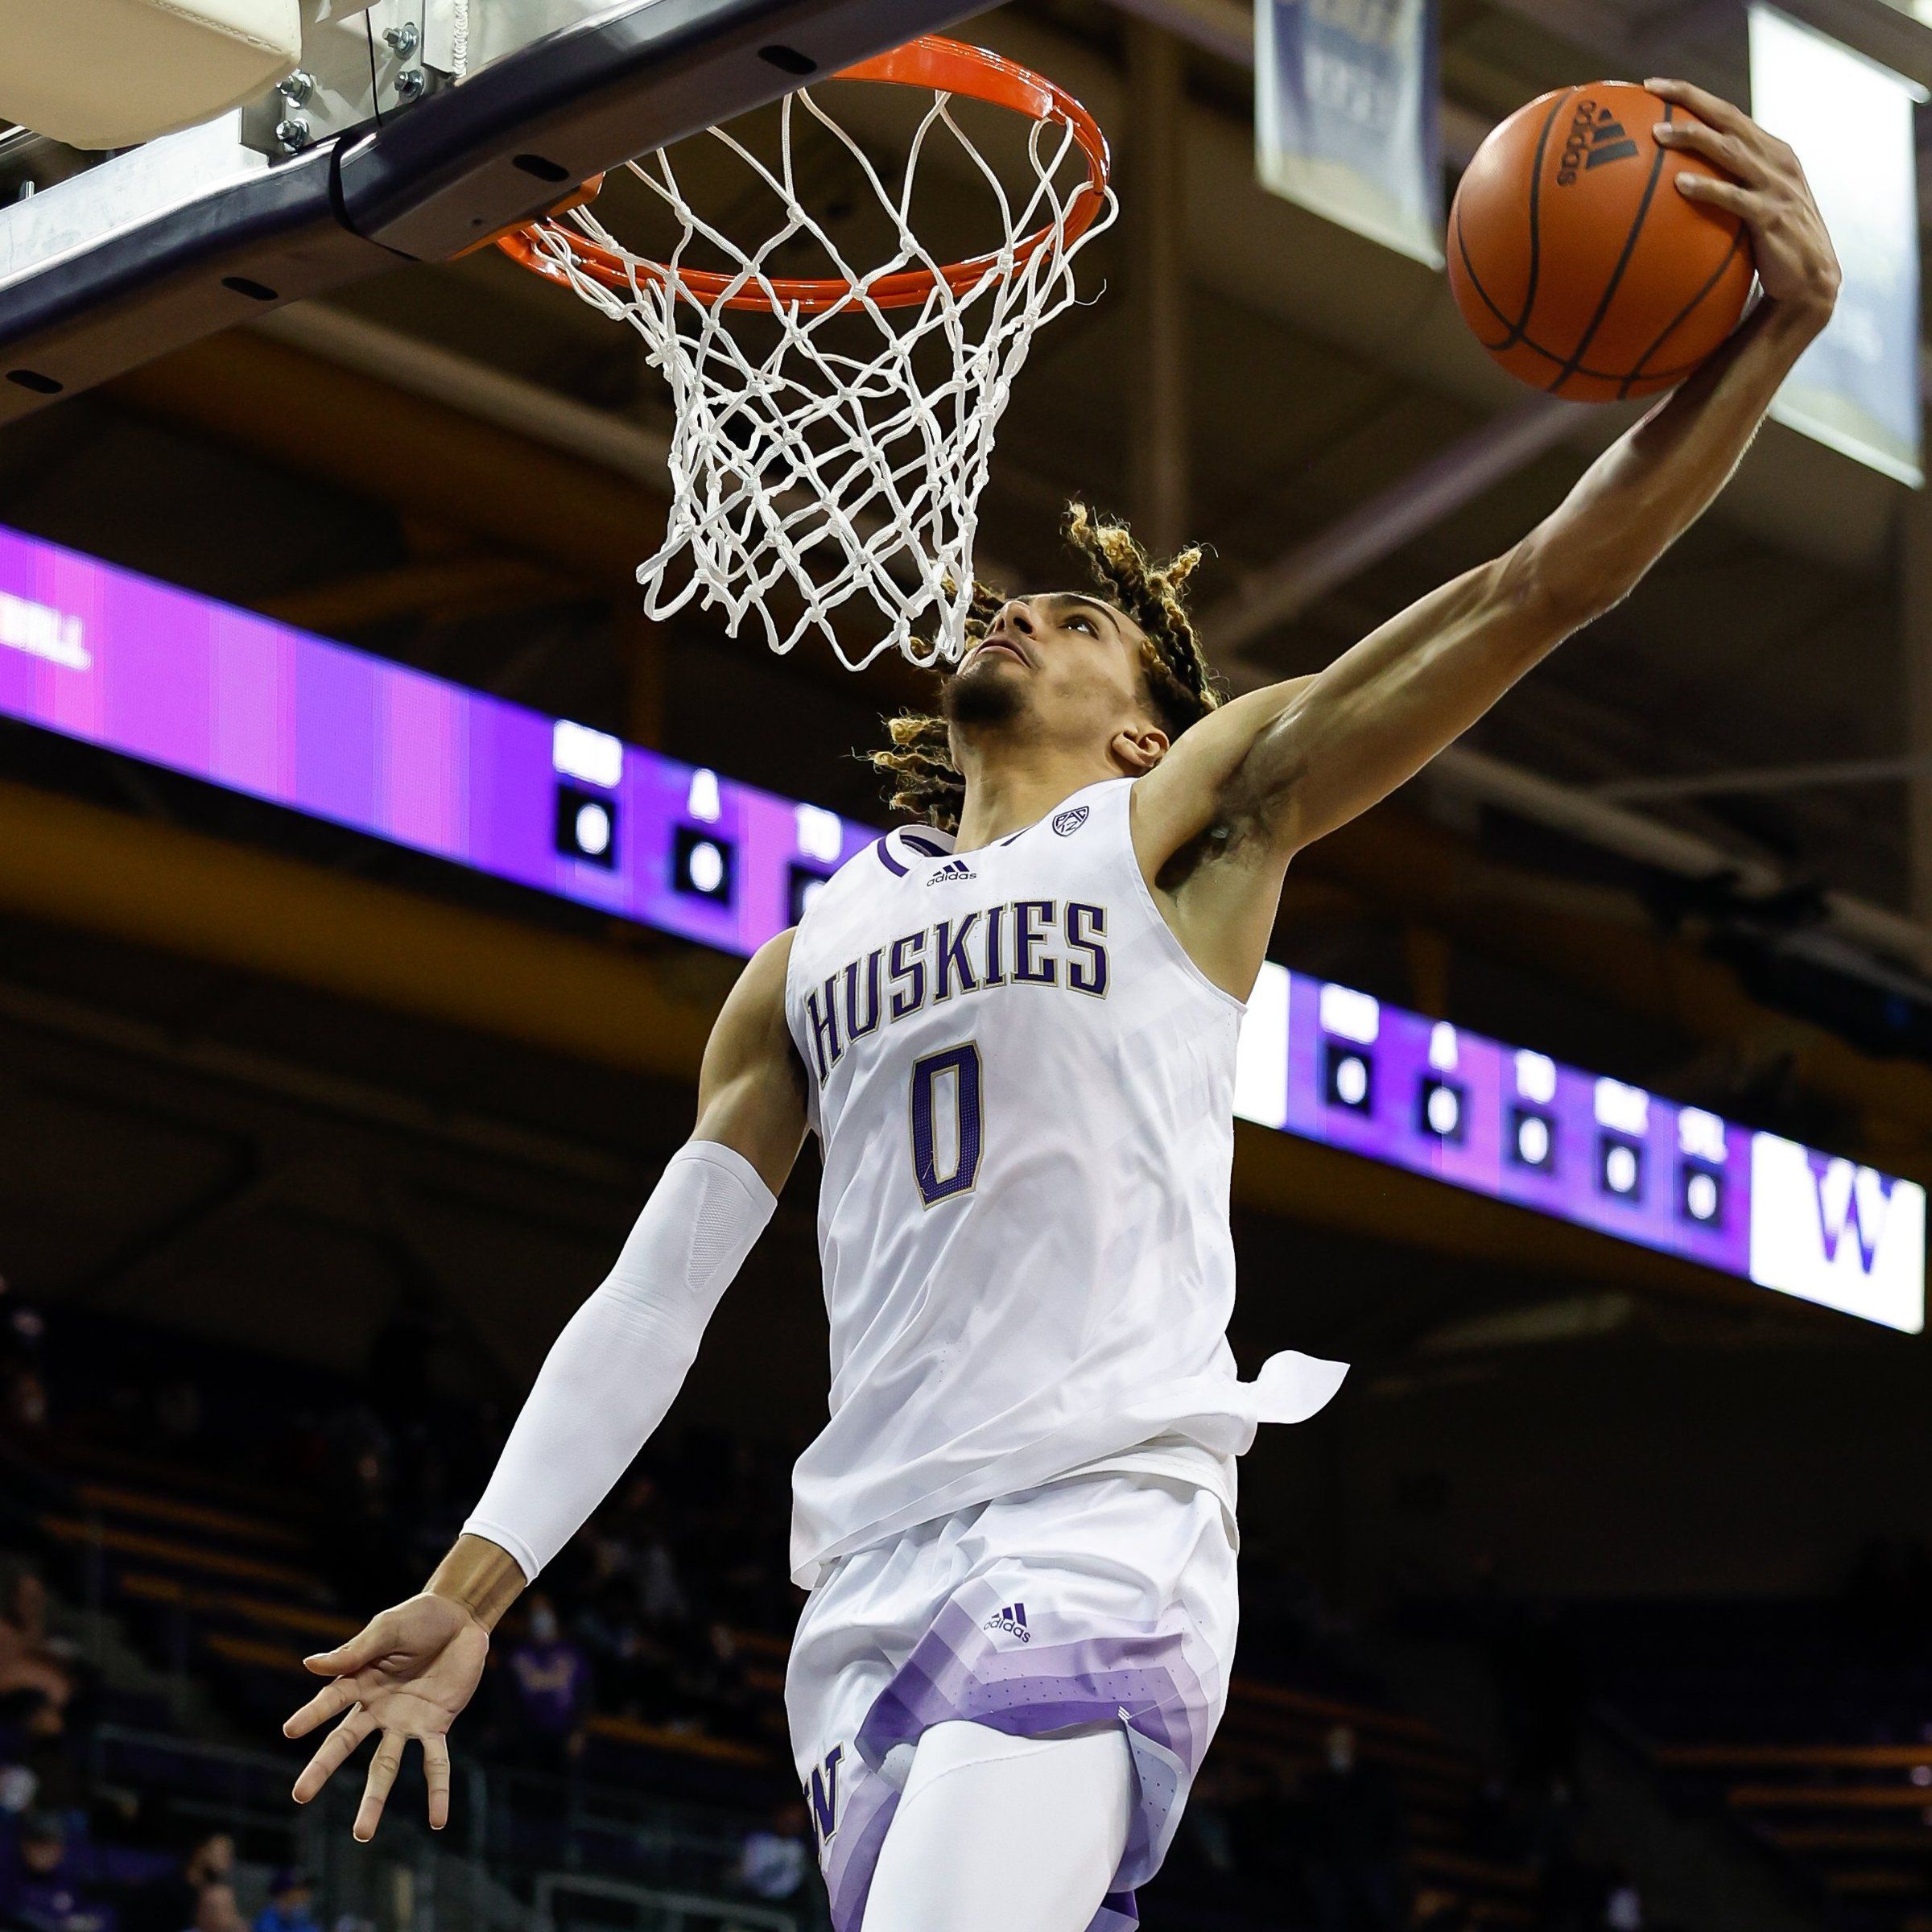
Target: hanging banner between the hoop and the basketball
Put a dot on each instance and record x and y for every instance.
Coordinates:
(1346, 117)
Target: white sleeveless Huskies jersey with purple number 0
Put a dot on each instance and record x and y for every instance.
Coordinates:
(1023, 1089)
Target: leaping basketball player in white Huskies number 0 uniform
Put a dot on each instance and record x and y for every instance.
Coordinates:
(1013, 1033)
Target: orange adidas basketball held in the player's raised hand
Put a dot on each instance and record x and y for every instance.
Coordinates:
(1576, 260)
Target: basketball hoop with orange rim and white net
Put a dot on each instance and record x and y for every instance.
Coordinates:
(845, 453)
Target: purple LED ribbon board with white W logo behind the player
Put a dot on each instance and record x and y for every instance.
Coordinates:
(175, 679)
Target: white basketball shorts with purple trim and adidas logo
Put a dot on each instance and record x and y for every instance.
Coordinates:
(1096, 1599)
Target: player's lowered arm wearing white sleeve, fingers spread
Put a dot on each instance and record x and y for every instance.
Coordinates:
(602, 1392)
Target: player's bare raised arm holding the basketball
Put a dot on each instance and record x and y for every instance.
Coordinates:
(1284, 766)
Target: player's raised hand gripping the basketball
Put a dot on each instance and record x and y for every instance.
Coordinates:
(1769, 192)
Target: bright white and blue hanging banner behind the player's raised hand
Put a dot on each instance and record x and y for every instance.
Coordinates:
(1852, 125)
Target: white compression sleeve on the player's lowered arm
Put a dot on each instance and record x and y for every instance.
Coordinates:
(623, 1355)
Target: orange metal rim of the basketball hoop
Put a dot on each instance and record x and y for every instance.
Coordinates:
(936, 63)
